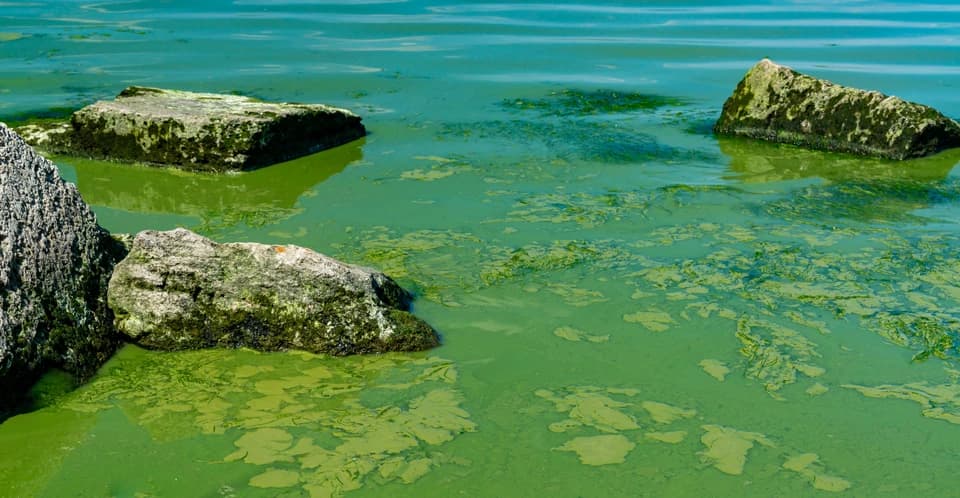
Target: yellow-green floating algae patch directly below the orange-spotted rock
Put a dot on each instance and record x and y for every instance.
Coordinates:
(323, 426)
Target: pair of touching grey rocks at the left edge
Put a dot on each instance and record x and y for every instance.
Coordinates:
(72, 293)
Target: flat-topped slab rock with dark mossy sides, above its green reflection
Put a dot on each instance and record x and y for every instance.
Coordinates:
(206, 131)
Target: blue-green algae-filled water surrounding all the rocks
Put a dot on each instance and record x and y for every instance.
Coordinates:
(629, 306)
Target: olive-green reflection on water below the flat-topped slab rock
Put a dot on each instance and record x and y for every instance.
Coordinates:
(256, 198)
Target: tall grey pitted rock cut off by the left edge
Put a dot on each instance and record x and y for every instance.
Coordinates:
(55, 263)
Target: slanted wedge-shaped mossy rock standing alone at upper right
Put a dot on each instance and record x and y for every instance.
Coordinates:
(776, 103)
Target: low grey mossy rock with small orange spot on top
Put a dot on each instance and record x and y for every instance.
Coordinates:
(178, 290)
